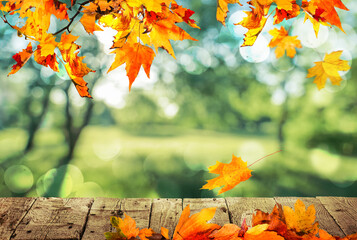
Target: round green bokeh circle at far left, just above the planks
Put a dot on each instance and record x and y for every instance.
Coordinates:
(18, 178)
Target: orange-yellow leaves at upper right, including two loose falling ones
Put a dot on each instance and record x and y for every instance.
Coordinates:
(318, 12)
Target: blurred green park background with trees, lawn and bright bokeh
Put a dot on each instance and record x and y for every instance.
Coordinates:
(216, 99)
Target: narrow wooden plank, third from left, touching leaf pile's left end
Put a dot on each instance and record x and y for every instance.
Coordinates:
(99, 218)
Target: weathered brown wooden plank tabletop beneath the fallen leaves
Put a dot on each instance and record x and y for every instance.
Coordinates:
(88, 218)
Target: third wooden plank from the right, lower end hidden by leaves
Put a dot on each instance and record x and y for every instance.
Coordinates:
(243, 208)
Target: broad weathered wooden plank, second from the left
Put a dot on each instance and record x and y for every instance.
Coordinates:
(54, 218)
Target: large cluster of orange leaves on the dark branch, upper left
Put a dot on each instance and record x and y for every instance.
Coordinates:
(141, 26)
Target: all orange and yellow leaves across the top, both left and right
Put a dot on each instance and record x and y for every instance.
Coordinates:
(144, 26)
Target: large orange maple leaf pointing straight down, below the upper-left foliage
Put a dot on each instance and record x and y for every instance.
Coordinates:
(134, 55)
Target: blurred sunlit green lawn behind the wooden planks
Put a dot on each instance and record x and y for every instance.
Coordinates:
(172, 162)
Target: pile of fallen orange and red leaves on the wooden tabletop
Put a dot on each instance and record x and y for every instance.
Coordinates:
(282, 223)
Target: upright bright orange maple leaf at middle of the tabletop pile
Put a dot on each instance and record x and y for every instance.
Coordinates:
(196, 226)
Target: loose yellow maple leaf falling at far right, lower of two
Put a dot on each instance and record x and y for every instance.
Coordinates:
(328, 68)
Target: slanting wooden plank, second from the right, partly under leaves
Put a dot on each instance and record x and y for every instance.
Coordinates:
(325, 220)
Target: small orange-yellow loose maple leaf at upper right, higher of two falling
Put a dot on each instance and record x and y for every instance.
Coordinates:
(283, 42)
